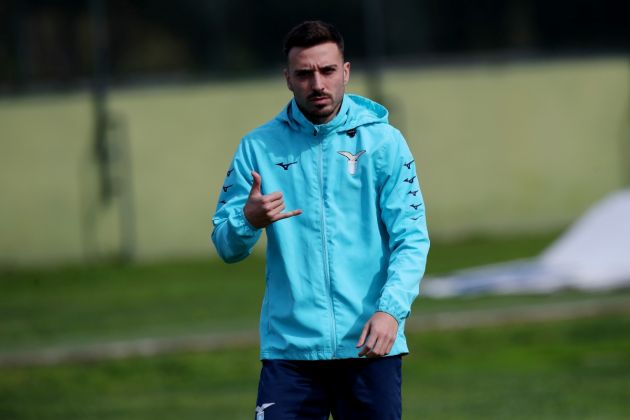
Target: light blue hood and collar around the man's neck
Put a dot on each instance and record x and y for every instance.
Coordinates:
(355, 111)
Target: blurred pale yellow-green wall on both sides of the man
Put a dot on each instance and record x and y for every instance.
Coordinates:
(501, 148)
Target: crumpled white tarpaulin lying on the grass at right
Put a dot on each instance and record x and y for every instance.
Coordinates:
(594, 254)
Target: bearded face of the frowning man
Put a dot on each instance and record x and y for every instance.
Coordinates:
(317, 76)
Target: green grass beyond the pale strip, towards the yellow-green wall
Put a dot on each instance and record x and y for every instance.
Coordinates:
(72, 305)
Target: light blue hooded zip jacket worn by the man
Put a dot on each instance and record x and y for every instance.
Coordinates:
(360, 244)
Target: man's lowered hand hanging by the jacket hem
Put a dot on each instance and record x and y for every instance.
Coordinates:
(378, 335)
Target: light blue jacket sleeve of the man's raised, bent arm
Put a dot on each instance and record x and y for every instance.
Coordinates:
(233, 236)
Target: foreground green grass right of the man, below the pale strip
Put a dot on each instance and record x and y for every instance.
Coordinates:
(574, 369)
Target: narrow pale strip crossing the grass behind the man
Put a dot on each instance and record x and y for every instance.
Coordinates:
(524, 313)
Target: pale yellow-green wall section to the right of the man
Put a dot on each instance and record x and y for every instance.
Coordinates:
(516, 147)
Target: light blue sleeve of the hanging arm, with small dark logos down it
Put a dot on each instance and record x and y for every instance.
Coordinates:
(403, 214)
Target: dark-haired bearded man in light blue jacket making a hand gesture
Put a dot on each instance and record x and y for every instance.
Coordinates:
(345, 261)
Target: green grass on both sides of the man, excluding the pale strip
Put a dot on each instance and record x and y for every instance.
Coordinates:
(563, 369)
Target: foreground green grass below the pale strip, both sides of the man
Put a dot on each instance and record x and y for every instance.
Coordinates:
(573, 369)
